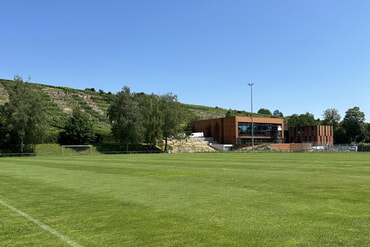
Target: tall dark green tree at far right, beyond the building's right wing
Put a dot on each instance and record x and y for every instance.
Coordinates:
(354, 125)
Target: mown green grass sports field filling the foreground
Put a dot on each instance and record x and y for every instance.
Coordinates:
(203, 199)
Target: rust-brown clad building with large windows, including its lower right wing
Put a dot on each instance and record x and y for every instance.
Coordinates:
(237, 130)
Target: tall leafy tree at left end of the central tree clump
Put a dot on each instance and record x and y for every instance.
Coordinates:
(126, 118)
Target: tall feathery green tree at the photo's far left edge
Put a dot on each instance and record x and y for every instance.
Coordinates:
(24, 116)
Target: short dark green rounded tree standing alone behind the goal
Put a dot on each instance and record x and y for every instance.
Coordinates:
(79, 129)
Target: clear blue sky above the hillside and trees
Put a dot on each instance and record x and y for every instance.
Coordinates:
(302, 56)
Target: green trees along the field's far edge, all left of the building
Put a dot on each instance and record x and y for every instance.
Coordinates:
(134, 118)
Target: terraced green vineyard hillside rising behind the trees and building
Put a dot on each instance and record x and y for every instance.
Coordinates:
(61, 100)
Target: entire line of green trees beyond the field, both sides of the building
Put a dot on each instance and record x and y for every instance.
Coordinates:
(136, 118)
